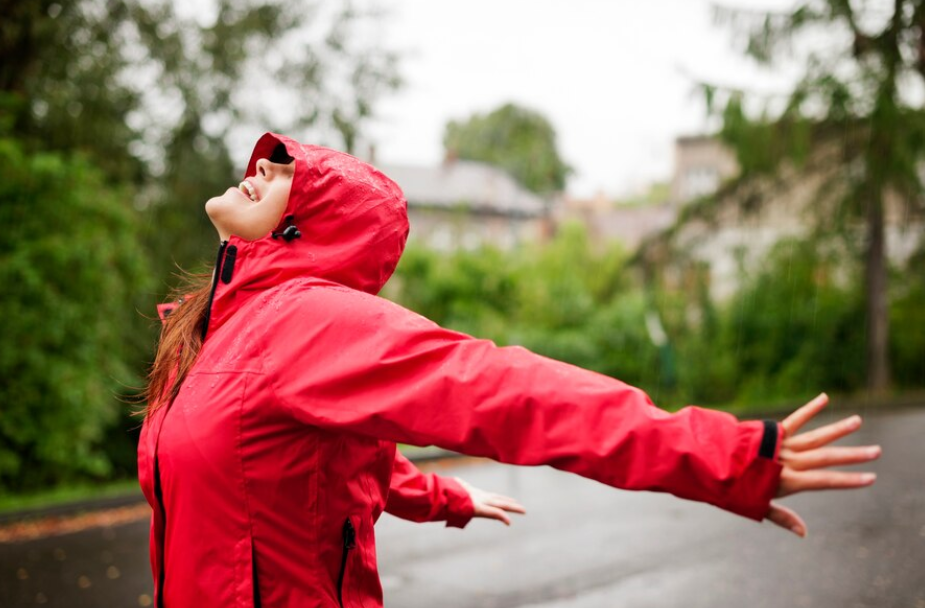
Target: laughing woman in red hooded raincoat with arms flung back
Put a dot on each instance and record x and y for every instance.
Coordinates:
(280, 390)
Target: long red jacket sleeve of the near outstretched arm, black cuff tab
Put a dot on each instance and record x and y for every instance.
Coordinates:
(341, 359)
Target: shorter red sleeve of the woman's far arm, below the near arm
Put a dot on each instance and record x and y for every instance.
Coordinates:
(421, 497)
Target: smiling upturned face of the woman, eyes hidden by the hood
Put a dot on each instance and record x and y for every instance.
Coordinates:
(256, 206)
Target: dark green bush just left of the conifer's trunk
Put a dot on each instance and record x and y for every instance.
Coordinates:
(798, 326)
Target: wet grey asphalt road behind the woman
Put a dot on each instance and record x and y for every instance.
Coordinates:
(584, 545)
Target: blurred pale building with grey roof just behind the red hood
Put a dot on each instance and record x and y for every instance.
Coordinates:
(466, 204)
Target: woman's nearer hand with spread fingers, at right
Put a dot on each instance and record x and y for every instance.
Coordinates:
(804, 457)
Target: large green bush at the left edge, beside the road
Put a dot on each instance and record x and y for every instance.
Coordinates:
(72, 268)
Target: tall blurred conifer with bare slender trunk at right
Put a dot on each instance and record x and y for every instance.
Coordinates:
(858, 98)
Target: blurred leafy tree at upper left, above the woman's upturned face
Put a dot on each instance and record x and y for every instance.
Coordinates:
(152, 93)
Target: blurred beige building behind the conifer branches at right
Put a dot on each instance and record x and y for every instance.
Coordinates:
(718, 239)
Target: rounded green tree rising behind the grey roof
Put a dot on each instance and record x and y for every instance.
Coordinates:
(519, 140)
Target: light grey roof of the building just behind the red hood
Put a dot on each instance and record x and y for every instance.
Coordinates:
(465, 184)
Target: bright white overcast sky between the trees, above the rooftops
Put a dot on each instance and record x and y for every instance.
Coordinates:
(616, 78)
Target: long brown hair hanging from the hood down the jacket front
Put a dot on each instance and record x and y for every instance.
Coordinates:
(180, 342)
